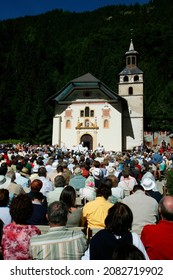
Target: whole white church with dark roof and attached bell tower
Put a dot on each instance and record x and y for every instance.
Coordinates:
(88, 112)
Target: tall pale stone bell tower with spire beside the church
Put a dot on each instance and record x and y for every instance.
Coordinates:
(130, 87)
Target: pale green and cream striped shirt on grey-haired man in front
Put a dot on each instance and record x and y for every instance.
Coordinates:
(59, 243)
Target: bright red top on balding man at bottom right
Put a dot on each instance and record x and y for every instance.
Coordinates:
(158, 240)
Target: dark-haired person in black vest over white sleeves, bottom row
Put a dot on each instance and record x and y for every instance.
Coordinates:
(117, 232)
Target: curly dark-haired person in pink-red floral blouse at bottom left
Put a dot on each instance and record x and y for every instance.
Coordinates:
(16, 235)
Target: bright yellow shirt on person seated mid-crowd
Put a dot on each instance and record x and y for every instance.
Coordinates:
(95, 212)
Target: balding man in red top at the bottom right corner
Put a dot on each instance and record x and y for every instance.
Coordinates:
(157, 239)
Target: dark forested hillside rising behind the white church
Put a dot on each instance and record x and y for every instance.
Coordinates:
(40, 54)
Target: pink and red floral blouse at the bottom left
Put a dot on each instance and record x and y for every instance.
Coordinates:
(16, 241)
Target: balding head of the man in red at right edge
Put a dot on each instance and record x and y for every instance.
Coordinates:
(166, 208)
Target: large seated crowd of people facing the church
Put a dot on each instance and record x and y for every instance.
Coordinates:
(92, 205)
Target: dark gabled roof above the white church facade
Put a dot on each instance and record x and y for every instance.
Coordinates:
(85, 87)
